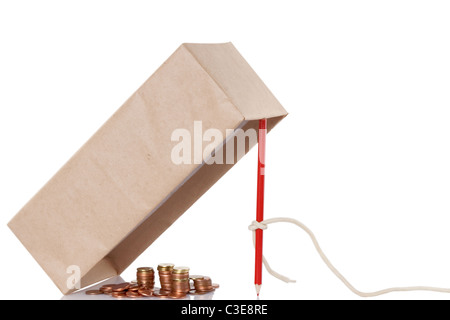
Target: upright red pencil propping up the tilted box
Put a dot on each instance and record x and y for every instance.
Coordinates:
(260, 203)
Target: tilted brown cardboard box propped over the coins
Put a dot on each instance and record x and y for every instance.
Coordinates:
(121, 190)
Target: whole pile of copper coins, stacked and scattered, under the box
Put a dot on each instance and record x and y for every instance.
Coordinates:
(175, 283)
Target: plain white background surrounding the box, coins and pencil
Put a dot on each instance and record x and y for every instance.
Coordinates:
(362, 159)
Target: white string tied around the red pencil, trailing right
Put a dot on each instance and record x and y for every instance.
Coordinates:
(263, 225)
